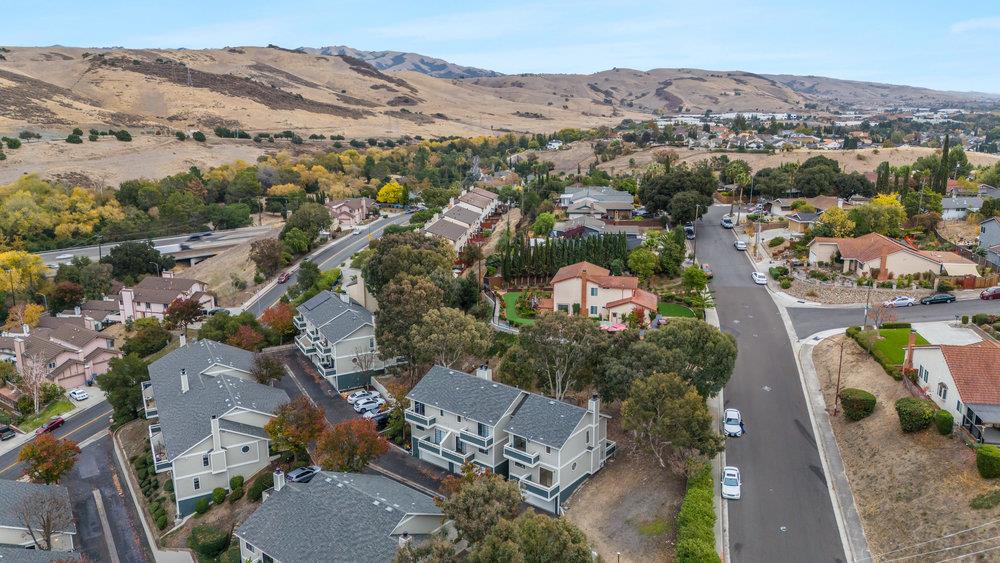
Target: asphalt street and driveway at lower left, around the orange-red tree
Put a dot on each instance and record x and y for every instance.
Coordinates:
(95, 469)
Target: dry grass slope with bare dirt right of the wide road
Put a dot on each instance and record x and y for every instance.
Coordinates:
(909, 488)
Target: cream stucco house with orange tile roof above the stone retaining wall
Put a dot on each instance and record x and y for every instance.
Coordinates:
(875, 252)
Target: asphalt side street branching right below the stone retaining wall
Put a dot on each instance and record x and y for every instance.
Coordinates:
(810, 320)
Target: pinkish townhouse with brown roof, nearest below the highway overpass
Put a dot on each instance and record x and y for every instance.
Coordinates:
(151, 296)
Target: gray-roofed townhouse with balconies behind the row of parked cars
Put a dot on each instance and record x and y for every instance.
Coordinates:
(338, 336)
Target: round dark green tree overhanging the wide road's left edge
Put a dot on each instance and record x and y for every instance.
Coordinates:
(701, 354)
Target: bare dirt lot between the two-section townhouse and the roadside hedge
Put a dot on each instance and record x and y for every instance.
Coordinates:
(630, 506)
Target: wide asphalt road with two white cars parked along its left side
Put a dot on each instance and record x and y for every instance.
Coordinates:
(786, 513)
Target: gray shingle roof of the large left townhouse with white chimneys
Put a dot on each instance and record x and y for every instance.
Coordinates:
(185, 418)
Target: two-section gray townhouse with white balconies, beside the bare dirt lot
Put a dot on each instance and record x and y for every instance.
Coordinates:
(549, 447)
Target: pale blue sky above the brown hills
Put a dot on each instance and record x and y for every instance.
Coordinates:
(942, 45)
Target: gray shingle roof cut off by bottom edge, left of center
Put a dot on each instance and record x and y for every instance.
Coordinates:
(334, 517)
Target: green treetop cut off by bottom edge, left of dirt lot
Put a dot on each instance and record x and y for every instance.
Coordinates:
(533, 537)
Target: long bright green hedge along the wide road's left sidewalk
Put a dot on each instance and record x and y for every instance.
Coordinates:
(696, 520)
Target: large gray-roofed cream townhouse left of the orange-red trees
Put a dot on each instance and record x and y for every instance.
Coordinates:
(210, 418)
